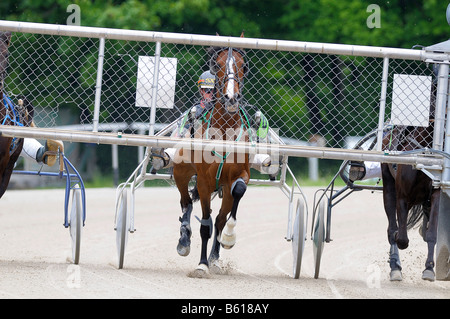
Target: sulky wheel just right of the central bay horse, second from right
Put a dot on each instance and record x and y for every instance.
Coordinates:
(298, 237)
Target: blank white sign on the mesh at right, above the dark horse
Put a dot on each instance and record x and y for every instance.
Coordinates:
(411, 100)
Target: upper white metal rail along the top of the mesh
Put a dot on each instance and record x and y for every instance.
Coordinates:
(194, 39)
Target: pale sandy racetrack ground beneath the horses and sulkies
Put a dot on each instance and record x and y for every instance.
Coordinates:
(35, 247)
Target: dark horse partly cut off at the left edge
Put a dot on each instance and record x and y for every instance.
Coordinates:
(10, 148)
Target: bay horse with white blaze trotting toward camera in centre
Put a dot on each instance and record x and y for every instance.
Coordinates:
(224, 172)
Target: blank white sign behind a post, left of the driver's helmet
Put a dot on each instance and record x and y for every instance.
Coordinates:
(166, 82)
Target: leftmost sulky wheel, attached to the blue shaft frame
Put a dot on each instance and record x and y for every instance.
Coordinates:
(76, 223)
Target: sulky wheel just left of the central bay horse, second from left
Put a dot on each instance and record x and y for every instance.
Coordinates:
(122, 227)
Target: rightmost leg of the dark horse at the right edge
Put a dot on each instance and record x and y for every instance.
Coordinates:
(431, 236)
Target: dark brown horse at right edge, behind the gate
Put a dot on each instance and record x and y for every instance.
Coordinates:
(409, 196)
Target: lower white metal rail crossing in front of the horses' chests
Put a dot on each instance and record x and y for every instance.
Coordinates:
(199, 144)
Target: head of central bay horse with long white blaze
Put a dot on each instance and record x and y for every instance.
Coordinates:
(230, 68)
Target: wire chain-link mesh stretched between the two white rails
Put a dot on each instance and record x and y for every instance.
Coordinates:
(306, 97)
